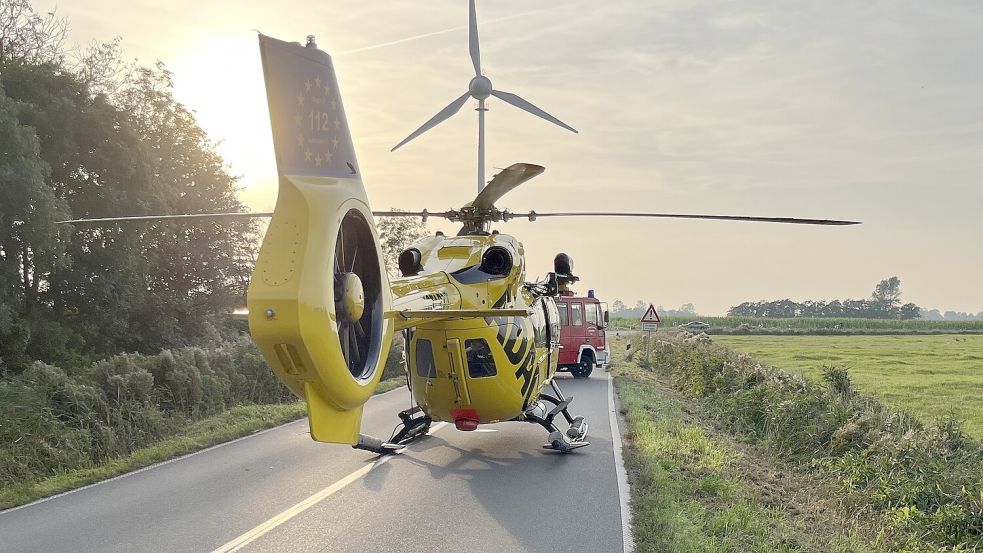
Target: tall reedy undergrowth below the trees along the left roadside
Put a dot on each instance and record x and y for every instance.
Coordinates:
(54, 420)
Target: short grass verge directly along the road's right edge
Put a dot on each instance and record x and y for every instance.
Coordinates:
(693, 491)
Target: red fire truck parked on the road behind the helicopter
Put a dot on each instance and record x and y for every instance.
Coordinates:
(582, 322)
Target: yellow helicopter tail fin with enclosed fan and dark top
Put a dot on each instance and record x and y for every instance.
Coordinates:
(319, 292)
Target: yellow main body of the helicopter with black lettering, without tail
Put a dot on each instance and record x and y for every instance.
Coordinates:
(472, 370)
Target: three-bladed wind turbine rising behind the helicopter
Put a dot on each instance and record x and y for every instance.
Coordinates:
(480, 88)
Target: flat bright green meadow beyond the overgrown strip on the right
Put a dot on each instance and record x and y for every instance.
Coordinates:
(929, 376)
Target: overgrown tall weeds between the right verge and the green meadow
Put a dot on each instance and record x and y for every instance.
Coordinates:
(919, 485)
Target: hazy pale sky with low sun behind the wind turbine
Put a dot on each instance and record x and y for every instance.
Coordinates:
(869, 111)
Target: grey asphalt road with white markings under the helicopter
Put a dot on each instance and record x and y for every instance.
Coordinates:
(494, 489)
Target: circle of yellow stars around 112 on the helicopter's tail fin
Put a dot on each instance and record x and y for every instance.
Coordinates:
(317, 121)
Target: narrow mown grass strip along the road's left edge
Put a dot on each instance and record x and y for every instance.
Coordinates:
(237, 422)
